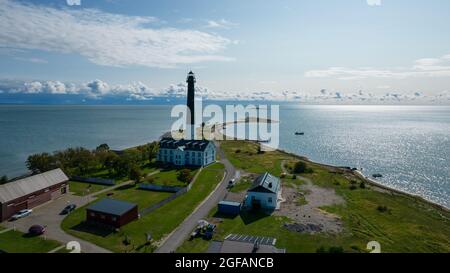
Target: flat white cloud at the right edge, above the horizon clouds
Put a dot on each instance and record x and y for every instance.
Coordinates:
(422, 68)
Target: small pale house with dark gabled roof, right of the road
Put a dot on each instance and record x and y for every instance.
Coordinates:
(265, 193)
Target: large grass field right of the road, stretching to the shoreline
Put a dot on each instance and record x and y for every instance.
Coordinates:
(408, 225)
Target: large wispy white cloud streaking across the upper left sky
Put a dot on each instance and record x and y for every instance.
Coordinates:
(105, 38)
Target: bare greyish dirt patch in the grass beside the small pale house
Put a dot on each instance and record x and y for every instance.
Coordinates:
(309, 217)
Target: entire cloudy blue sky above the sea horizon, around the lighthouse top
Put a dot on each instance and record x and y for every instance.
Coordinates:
(311, 51)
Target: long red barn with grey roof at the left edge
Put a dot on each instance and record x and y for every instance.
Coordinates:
(31, 191)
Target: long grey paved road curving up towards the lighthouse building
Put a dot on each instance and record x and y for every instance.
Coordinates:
(176, 238)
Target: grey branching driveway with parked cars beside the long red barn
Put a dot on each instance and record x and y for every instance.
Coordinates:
(48, 215)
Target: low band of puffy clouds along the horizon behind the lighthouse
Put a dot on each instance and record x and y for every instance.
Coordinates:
(98, 89)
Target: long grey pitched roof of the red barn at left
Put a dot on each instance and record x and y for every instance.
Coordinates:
(28, 185)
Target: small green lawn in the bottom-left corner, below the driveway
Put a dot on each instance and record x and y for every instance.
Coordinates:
(18, 242)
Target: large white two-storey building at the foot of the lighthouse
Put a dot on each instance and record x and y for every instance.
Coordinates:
(186, 152)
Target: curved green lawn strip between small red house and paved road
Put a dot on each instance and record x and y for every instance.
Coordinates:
(159, 223)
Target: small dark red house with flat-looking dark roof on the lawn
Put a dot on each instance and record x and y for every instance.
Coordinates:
(111, 212)
